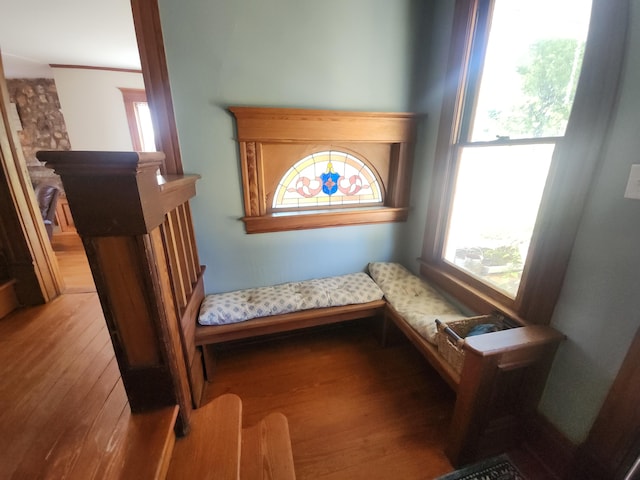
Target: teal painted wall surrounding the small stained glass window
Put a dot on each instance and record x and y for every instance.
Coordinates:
(331, 54)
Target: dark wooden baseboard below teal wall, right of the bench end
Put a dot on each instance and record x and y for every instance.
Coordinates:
(550, 446)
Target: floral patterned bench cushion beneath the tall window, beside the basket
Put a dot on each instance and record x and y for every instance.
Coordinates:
(413, 298)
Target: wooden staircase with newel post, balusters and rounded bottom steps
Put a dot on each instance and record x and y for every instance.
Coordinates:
(141, 247)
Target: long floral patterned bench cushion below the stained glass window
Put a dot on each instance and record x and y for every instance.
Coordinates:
(232, 307)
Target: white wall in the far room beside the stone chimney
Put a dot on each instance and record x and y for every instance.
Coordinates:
(93, 108)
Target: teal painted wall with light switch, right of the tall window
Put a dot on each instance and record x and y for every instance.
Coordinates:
(599, 309)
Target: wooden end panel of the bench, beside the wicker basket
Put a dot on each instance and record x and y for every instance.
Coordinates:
(500, 385)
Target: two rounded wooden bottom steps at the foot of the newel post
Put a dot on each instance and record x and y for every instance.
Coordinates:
(218, 448)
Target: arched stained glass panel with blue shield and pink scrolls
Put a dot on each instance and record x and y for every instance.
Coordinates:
(330, 178)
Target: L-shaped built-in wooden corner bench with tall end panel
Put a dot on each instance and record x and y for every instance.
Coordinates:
(500, 383)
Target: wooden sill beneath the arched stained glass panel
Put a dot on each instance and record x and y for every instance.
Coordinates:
(279, 222)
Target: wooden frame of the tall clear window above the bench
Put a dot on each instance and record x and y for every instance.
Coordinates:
(574, 162)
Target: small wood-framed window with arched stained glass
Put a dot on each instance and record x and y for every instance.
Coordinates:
(316, 168)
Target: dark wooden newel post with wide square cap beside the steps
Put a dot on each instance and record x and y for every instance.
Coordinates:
(118, 205)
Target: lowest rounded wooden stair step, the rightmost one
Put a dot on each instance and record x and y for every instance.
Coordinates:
(266, 450)
